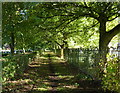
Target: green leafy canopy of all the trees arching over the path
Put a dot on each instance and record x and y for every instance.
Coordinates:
(26, 25)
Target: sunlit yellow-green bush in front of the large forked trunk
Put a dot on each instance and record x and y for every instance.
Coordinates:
(111, 80)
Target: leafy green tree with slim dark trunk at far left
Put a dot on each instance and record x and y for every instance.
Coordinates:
(18, 31)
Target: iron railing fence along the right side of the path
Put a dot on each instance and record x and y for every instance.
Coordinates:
(86, 60)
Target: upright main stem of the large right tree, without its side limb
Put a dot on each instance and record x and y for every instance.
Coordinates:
(103, 44)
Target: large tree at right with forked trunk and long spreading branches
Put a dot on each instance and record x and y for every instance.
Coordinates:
(102, 12)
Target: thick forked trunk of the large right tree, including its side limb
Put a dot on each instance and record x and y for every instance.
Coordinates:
(105, 38)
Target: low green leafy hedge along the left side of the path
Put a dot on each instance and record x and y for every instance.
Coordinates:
(13, 67)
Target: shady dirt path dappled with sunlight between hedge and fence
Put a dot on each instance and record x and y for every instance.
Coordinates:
(51, 75)
